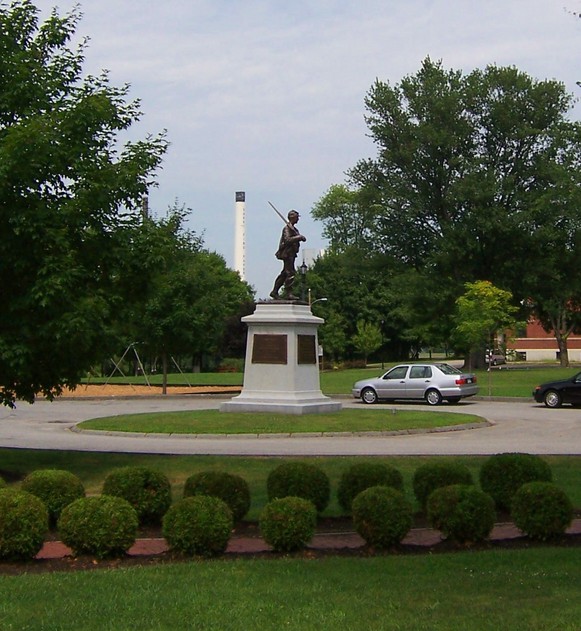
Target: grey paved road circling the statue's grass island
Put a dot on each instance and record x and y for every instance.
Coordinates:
(516, 426)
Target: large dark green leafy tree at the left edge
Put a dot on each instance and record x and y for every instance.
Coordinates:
(67, 184)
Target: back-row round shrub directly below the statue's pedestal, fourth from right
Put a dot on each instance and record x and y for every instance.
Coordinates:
(300, 479)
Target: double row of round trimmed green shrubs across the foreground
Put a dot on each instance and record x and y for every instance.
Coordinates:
(201, 523)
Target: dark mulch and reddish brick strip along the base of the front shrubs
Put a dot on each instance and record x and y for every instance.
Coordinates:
(334, 537)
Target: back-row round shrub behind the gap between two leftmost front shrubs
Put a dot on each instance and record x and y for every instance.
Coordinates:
(56, 488)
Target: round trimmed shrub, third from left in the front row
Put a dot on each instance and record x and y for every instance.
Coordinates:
(199, 525)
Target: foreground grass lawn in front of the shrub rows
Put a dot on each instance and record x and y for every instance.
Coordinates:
(521, 590)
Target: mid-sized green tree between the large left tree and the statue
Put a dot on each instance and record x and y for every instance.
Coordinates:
(179, 296)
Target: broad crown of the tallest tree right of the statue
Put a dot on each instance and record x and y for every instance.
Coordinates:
(460, 157)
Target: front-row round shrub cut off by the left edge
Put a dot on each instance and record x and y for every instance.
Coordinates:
(23, 524)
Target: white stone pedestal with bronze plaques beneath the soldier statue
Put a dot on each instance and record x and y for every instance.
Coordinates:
(282, 365)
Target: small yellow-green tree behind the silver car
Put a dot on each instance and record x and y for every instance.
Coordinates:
(483, 310)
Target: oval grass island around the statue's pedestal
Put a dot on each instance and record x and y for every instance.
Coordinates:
(215, 422)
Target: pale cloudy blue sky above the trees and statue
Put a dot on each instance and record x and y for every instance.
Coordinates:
(267, 96)
